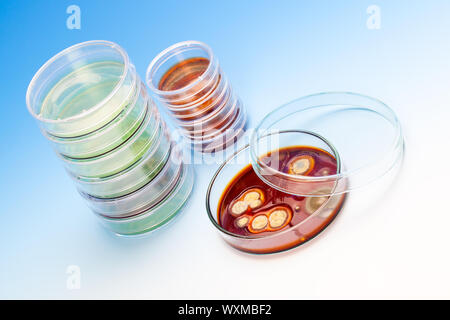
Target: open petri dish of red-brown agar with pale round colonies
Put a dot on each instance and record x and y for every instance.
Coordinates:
(257, 218)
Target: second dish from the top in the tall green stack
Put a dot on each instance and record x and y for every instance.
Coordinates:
(108, 137)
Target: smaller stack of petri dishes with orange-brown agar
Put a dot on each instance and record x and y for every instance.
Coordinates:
(187, 79)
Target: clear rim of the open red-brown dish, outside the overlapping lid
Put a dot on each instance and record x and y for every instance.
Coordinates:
(255, 237)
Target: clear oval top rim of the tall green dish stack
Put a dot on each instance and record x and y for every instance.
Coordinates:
(126, 63)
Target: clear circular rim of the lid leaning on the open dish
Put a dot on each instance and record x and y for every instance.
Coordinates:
(263, 128)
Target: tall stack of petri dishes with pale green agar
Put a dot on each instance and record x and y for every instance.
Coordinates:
(94, 109)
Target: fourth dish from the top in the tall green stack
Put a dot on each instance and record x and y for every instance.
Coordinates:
(132, 178)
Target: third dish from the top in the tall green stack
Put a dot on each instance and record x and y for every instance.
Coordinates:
(119, 159)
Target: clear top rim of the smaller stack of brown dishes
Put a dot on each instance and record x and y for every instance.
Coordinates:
(167, 53)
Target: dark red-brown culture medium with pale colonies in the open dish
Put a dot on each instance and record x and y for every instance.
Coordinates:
(249, 207)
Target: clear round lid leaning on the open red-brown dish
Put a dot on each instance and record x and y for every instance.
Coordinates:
(362, 133)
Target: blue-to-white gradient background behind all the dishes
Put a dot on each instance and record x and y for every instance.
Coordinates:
(273, 52)
